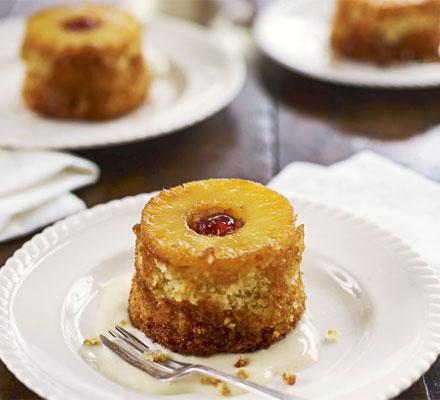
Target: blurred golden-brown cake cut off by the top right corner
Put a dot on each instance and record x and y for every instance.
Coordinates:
(383, 31)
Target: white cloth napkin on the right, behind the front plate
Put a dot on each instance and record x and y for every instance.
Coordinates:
(394, 197)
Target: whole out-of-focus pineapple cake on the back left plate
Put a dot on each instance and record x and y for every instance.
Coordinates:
(83, 61)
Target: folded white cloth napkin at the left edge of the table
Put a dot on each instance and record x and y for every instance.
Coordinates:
(35, 186)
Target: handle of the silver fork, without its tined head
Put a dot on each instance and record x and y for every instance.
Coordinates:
(247, 385)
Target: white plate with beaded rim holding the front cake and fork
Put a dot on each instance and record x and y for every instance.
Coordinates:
(359, 279)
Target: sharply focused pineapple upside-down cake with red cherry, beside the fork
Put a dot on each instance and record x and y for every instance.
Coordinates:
(217, 268)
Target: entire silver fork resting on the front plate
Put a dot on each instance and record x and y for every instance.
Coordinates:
(130, 349)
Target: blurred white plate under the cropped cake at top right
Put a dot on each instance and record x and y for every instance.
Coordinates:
(296, 34)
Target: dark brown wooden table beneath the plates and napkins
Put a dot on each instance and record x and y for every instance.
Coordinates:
(279, 117)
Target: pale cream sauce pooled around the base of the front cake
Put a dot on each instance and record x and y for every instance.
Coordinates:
(298, 350)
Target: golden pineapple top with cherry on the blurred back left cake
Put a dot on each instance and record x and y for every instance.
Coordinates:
(72, 27)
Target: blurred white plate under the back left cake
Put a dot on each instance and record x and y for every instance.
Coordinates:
(198, 77)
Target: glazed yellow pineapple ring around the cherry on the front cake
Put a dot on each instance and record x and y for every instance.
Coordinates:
(268, 222)
